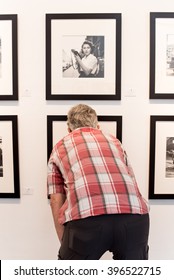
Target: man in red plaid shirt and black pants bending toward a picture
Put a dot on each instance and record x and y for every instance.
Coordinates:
(94, 197)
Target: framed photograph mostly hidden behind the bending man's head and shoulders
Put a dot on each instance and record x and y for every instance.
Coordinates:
(57, 128)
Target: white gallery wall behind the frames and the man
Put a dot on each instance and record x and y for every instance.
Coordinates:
(26, 230)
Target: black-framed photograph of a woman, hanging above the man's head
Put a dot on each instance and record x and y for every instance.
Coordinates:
(83, 56)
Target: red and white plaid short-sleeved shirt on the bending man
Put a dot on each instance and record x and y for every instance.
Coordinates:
(93, 171)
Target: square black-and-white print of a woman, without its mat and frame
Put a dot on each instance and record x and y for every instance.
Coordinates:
(81, 53)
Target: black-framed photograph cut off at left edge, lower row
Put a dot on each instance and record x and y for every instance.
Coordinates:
(9, 159)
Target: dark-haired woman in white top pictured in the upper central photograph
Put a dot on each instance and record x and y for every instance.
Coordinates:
(88, 63)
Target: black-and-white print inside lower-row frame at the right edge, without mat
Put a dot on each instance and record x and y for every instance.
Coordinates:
(170, 157)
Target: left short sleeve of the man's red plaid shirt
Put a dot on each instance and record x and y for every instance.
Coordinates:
(55, 181)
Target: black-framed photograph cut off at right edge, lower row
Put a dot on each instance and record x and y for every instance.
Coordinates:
(161, 171)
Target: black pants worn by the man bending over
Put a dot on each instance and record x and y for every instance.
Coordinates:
(125, 235)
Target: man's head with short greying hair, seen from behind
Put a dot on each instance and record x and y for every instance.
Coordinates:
(82, 115)
